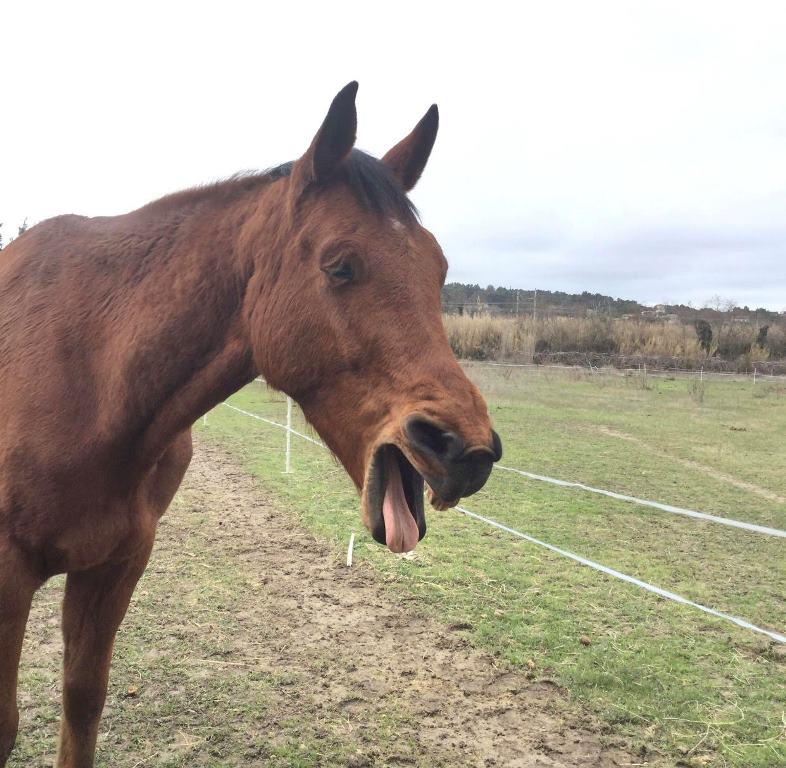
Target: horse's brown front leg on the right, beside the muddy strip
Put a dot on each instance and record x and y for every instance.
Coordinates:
(94, 605)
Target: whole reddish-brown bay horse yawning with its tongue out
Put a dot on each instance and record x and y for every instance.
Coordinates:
(117, 333)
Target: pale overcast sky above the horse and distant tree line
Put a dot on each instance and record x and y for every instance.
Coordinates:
(631, 148)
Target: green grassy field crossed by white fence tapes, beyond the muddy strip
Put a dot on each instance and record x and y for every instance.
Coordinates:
(675, 682)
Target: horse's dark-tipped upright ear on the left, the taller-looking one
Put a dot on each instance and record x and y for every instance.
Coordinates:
(333, 141)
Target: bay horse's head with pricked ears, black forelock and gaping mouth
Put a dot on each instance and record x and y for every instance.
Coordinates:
(349, 324)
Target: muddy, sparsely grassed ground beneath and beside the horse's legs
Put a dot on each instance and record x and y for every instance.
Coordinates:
(249, 643)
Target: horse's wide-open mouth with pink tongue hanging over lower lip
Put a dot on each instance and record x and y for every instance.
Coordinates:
(394, 500)
